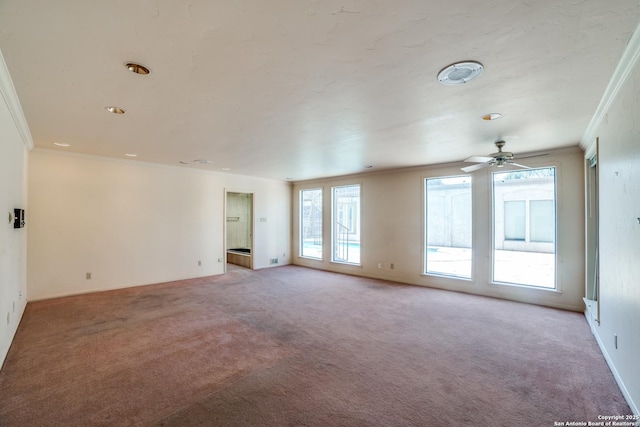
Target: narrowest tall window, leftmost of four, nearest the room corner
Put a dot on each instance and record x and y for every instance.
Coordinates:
(311, 223)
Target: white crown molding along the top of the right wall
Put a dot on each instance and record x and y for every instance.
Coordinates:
(625, 66)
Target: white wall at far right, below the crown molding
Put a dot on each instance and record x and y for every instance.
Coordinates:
(618, 129)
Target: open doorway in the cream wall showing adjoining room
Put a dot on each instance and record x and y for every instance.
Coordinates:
(239, 228)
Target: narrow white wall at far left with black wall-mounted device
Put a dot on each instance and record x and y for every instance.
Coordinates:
(14, 140)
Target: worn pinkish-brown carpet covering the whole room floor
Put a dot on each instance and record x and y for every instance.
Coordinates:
(292, 346)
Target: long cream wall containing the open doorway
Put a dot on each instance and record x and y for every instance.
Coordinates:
(132, 223)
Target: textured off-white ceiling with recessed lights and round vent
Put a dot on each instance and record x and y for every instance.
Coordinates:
(307, 89)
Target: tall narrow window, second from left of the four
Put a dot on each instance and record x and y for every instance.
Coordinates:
(346, 224)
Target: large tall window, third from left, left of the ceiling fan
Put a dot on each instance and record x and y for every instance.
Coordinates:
(448, 230)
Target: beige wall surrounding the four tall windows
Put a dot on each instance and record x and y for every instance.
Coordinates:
(393, 230)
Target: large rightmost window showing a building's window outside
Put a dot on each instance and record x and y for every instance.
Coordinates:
(524, 227)
